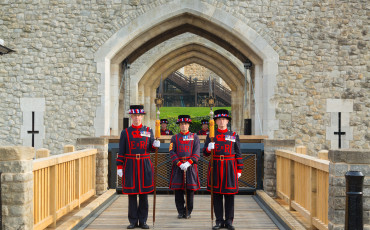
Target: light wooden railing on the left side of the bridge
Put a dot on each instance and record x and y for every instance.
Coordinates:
(61, 183)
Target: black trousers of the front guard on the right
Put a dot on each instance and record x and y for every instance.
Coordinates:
(219, 208)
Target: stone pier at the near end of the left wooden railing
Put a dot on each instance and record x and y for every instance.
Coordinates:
(16, 187)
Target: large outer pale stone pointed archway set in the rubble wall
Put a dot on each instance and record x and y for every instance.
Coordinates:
(205, 20)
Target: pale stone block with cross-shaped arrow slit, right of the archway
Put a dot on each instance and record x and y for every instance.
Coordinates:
(345, 107)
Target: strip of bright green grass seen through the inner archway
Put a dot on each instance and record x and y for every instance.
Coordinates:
(167, 112)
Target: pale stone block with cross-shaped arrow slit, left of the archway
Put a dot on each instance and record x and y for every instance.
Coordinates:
(29, 105)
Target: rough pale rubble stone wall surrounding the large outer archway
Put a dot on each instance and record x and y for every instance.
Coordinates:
(322, 47)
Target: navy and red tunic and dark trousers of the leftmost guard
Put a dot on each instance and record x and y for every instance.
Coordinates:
(136, 143)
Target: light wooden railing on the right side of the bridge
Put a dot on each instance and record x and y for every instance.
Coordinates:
(303, 182)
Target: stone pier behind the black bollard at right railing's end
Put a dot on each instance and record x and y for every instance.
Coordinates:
(342, 161)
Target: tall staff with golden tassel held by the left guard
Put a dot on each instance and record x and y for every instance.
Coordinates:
(158, 101)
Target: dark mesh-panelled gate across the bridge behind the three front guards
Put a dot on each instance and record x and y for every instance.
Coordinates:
(250, 180)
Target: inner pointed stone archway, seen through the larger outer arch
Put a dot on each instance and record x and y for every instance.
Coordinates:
(193, 53)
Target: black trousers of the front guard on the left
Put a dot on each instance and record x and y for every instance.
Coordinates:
(138, 212)
